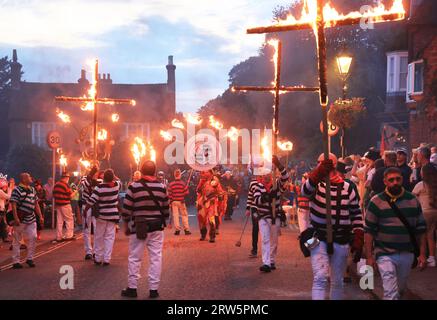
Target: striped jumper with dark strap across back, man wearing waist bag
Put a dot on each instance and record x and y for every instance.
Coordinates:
(139, 203)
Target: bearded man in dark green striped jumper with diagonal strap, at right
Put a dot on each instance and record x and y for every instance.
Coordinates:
(388, 238)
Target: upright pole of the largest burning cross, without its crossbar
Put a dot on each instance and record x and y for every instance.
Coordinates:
(323, 83)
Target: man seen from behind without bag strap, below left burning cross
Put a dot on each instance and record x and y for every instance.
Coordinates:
(105, 196)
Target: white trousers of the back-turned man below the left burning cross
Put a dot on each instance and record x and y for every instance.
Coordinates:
(104, 238)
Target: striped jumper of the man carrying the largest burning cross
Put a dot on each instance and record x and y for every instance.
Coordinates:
(345, 210)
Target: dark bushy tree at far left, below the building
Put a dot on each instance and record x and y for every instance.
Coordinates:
(28, 158)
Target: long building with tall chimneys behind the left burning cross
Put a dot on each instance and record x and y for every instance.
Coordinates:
(32, 109)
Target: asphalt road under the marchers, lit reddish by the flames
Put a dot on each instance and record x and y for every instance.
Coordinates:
(191, 270)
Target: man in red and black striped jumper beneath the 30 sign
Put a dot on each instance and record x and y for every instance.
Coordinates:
(63, 194)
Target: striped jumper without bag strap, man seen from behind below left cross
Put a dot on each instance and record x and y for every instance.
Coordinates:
(106, 196)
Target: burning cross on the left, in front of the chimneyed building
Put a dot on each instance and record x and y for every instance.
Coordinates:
(92, 100)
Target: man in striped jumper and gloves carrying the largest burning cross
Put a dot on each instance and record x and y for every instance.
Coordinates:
(346, 224)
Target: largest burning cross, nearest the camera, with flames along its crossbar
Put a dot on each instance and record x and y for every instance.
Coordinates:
(318, 16)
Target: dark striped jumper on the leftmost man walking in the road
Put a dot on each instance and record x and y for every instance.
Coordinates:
(25, 199)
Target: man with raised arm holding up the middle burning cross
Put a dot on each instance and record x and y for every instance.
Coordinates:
(263, 195)
